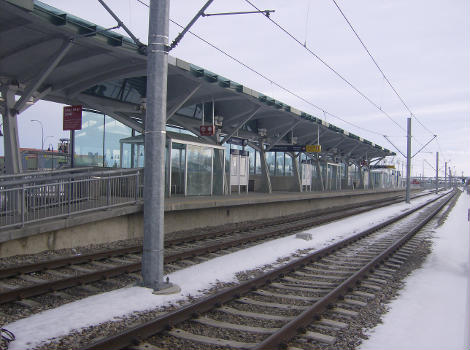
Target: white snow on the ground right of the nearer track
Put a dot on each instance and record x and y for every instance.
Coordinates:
(433, 311)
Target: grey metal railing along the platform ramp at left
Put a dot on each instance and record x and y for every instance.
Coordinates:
(36, 198)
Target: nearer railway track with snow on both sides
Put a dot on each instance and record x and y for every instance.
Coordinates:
(304, 304)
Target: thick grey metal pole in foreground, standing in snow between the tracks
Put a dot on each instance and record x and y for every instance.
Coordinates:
(155, 139)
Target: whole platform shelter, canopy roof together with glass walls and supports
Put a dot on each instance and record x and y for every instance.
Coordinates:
(233, 127)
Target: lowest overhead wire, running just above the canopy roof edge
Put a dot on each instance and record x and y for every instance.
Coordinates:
(270, 80)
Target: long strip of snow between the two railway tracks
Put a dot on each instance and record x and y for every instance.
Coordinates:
(193, 280)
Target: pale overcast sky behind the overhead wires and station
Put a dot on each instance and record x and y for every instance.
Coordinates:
(421, 45)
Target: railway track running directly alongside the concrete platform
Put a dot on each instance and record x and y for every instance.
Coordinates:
(121, 266)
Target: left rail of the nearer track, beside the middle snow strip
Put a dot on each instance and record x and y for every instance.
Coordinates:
(135, 334)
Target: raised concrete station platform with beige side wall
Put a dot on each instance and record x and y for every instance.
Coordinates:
(181, 213)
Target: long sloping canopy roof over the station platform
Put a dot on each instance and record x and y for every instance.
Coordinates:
(52, 55)
